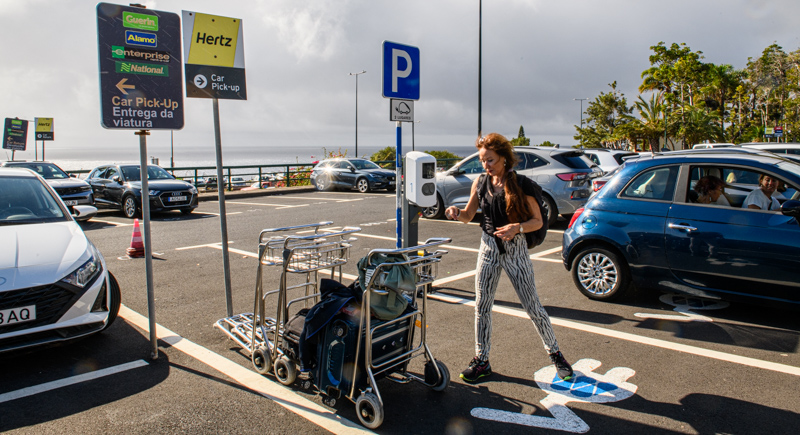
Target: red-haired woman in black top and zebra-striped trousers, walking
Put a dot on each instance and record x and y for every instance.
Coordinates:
(509, 210)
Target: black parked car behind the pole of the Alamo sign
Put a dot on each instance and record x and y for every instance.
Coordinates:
(120, 187)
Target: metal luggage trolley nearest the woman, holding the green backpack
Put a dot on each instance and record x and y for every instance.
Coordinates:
(424, 260)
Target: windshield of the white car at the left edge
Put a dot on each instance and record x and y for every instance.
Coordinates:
(25, 200)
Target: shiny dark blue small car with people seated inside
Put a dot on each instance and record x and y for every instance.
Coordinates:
(647, 228)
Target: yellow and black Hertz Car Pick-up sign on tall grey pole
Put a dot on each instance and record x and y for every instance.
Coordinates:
(214, 51)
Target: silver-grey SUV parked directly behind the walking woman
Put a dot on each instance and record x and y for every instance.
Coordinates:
(564, 174)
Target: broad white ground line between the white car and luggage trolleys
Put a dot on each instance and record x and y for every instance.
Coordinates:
(281, 395)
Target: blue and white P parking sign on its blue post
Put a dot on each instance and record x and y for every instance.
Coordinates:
(401, 84)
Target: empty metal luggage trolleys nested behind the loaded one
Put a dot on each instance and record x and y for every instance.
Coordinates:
(301, 255)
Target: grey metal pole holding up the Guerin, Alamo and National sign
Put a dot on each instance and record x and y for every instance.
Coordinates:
(148, 249)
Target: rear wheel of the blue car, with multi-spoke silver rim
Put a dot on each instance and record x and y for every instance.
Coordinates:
(600, 274)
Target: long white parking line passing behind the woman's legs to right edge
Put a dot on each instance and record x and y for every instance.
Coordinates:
(655, 342)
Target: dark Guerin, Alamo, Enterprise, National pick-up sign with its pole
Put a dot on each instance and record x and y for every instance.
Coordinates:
(140, 89)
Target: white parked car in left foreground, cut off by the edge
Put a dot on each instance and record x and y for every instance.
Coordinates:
(54, 283)
